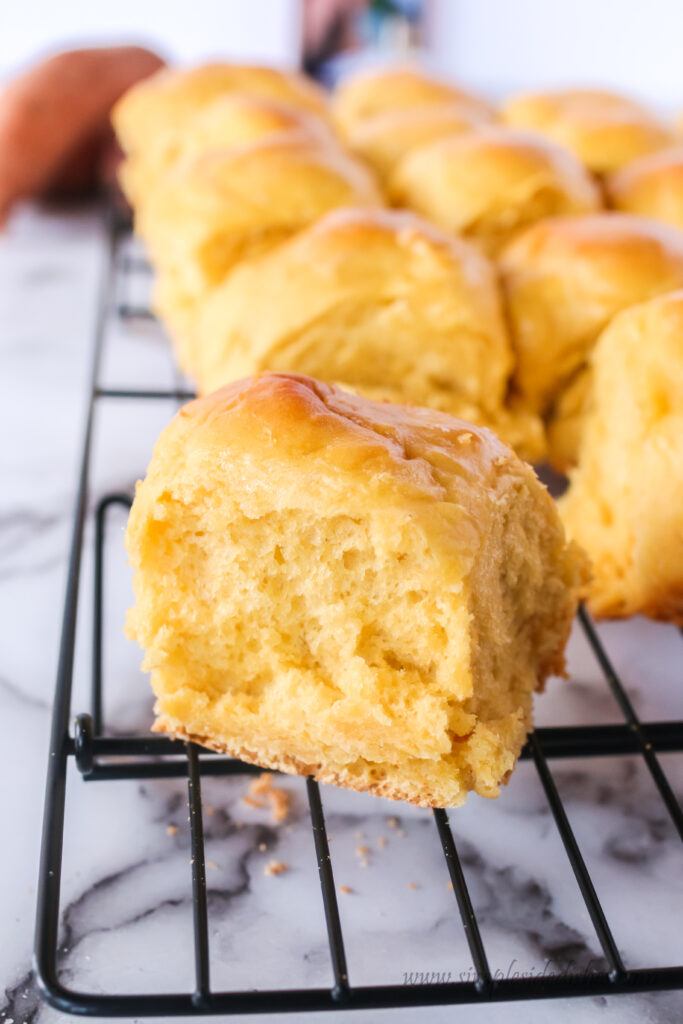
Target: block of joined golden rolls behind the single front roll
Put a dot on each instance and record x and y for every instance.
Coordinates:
(521, 268)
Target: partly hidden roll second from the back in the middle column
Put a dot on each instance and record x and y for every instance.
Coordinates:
(386, 139)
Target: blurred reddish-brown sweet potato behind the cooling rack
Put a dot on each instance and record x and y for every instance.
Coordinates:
(55, 131)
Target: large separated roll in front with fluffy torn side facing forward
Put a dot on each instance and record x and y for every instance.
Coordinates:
(355, 590)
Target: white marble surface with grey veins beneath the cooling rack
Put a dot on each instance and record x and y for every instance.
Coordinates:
(126, 909)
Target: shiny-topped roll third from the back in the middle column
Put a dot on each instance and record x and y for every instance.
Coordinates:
(491, 184)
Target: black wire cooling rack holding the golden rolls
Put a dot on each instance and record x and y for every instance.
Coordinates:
(98, 757)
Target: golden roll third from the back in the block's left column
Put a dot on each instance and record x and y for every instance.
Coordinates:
(211, 214)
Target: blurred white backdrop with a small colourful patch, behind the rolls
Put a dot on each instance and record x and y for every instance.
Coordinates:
(497, 46)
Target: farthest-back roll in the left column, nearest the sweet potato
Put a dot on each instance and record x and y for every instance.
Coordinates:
(164, 106)
